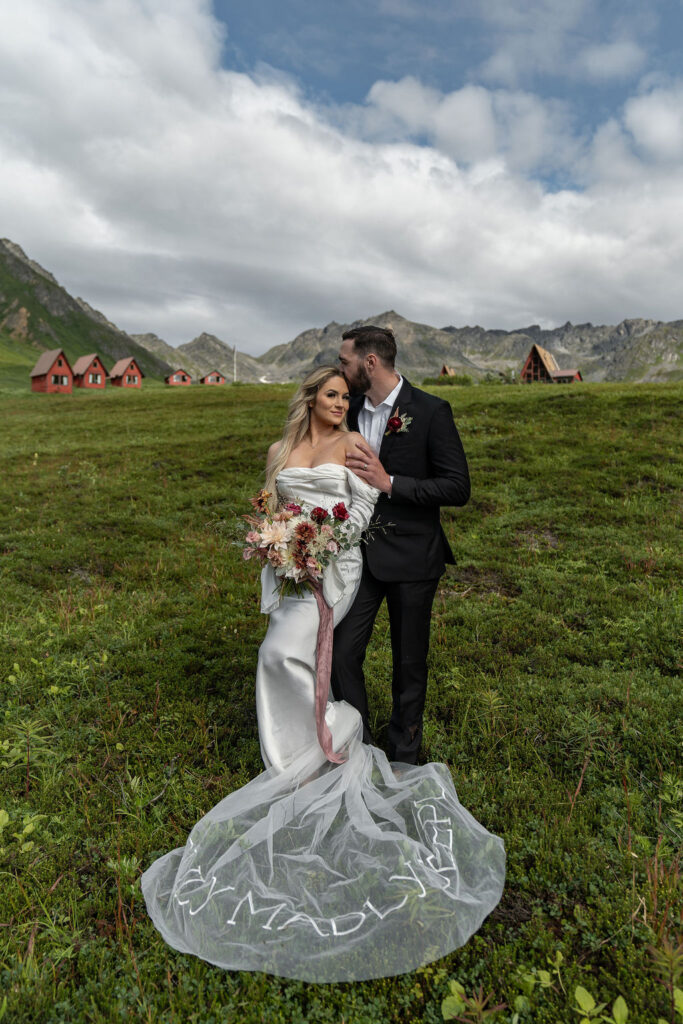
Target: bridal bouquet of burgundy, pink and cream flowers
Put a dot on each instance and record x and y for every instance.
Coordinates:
(297, 544)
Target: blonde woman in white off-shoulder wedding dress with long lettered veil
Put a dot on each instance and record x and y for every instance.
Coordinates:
(336, 867)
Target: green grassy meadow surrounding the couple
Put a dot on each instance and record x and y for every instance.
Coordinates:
(130, 634)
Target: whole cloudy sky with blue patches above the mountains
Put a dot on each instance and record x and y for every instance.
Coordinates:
(253, 168)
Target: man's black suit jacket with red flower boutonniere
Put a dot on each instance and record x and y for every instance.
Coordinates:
(430, 470)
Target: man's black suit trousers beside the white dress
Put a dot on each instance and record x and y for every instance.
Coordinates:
(409, 605)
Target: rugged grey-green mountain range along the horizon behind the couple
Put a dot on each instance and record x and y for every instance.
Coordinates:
(37, 314)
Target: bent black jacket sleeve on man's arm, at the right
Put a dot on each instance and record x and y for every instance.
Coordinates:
(449, 481)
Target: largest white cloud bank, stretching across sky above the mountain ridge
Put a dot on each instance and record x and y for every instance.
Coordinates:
(179, 197)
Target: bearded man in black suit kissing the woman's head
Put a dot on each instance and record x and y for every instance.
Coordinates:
(413, 454)
